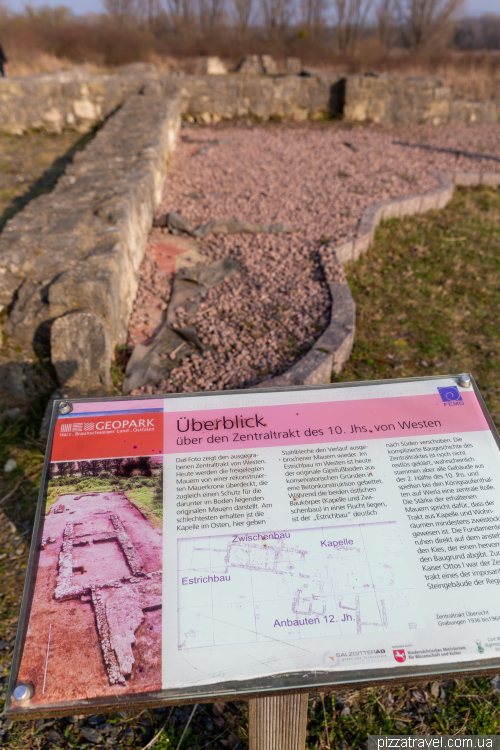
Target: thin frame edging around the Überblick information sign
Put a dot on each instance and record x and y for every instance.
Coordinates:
(283, 683)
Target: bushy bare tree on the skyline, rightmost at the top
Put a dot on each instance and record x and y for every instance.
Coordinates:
(423, 22)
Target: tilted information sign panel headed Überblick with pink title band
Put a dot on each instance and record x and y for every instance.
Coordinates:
(235, 543)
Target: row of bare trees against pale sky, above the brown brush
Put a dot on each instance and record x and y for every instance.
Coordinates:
(412, 24)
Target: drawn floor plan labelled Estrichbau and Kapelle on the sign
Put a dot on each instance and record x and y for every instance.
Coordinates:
(295, 584)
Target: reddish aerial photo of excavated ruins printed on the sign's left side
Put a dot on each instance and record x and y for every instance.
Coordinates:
(95, 622)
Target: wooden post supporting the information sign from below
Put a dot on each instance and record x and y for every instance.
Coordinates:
(278, 722)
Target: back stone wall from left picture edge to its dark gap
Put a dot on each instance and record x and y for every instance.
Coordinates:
(75, 100)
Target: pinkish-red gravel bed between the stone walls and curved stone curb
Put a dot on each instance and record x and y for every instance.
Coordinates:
(317, 179)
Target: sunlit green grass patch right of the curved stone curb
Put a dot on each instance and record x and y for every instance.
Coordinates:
(428, 296)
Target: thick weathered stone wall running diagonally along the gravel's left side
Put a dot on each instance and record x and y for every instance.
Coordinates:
(69, 261)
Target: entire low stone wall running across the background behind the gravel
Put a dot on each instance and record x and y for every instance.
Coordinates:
(76, 100)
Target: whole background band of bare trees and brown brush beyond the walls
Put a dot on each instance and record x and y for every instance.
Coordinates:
(354, 33)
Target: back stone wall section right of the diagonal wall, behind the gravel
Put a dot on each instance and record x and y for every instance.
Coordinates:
(370, 98)
